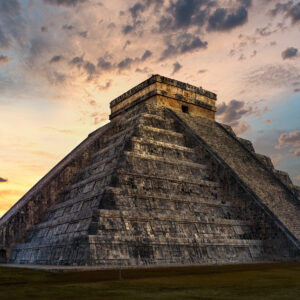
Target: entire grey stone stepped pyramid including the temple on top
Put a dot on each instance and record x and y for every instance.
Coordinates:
(161, 183)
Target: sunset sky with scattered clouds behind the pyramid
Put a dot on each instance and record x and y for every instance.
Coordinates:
(63, 61)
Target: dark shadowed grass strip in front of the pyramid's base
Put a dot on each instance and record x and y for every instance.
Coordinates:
(258, 281)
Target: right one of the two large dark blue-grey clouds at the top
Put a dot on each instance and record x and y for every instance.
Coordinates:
(223, 20)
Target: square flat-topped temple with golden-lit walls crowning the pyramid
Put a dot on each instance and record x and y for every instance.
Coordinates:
(167, 92)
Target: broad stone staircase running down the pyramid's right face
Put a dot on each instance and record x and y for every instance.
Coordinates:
(274, 195)
